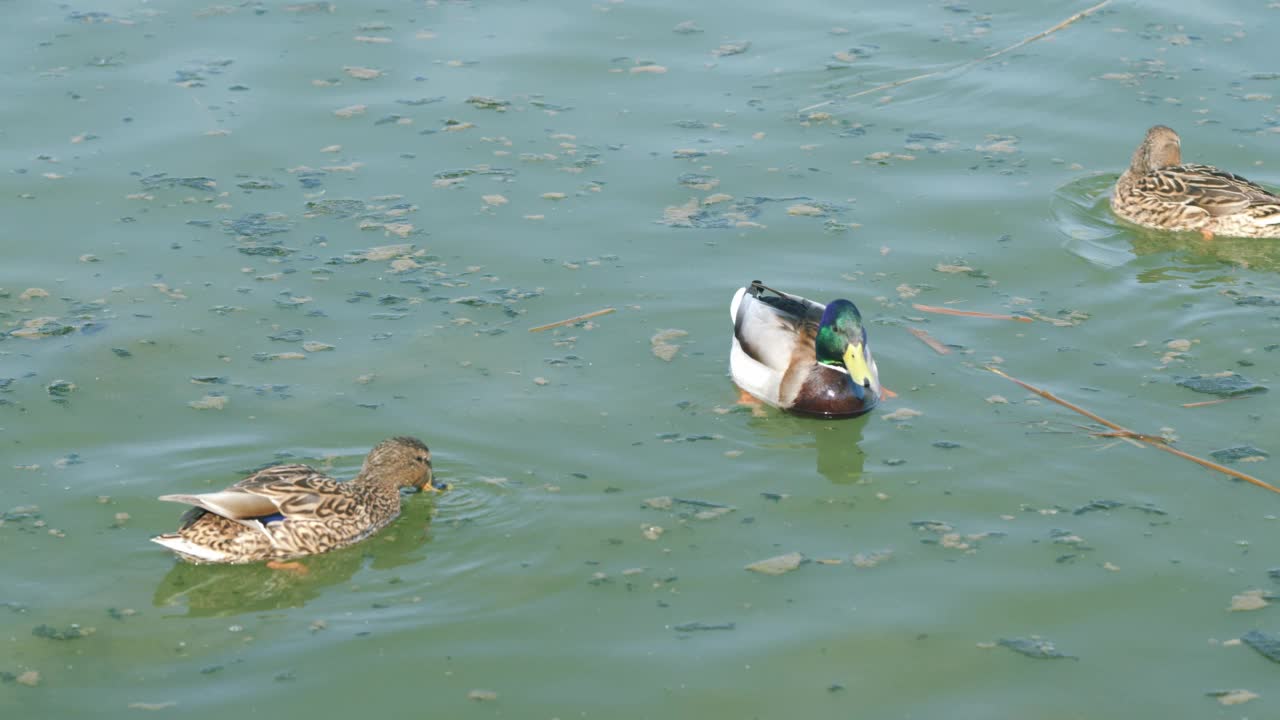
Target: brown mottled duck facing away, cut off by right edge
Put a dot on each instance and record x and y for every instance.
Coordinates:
(1159, 192)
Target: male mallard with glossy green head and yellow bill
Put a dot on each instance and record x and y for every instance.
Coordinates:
(802, 357)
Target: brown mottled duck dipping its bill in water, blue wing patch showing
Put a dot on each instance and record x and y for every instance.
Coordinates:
(294, 511)
